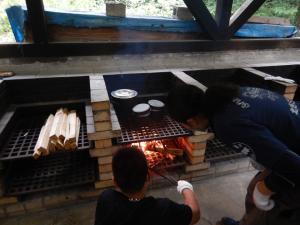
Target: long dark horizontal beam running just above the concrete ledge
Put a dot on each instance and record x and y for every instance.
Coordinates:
(150, 47)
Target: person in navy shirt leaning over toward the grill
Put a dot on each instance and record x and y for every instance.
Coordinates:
(261, 124)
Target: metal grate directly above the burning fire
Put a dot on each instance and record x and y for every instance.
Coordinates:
(149, 129)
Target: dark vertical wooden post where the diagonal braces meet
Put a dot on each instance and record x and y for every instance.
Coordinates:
(223, 13)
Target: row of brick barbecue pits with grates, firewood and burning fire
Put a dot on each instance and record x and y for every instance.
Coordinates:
(106, 112)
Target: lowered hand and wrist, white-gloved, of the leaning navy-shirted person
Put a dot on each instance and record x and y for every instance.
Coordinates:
(262, 197)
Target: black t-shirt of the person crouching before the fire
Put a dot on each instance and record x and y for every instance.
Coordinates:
(114, 208)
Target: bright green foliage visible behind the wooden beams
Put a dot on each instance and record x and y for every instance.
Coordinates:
(279, 8)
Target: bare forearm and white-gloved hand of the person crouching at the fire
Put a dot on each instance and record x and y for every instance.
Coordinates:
(186, 190)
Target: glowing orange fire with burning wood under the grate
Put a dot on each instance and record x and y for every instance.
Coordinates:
(158, 150)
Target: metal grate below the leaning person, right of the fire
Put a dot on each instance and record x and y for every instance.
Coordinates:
(216, 150)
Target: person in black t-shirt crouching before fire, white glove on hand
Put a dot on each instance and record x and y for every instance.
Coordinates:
(128, 203)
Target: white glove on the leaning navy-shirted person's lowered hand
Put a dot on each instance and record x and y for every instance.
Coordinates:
(262, 201)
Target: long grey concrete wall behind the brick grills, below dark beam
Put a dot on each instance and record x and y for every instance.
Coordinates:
(126, 63)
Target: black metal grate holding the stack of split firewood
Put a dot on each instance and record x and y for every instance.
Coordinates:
(23, 132)
